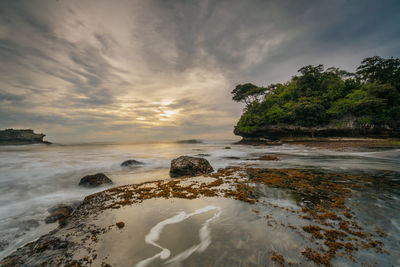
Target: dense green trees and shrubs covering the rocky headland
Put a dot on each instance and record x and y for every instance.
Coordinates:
(318, 97)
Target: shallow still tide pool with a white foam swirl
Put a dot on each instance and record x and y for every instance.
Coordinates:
(200, 232)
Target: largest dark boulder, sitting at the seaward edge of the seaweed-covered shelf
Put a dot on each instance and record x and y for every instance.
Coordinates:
(185, 166)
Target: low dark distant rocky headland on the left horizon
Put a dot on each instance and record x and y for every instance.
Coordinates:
(20, 137)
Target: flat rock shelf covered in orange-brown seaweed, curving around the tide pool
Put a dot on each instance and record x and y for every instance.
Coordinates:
(331, 228)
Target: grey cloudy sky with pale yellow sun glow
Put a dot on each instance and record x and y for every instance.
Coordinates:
(82, 71)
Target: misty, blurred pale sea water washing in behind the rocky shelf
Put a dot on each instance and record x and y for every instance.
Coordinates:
(36, 177)
